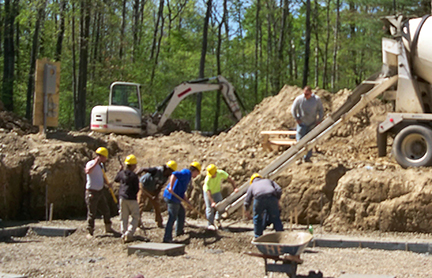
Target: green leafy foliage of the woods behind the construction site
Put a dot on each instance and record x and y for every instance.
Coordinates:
(178, 42)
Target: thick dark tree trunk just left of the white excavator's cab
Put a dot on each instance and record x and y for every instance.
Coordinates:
(80, 120)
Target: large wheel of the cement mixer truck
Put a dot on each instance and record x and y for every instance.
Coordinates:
(412, 146)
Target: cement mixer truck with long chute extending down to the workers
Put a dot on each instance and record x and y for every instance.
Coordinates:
(405, 80)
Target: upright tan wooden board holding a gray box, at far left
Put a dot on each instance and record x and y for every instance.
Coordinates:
(38, 101)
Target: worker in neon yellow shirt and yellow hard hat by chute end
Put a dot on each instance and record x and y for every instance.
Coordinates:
(212, 192)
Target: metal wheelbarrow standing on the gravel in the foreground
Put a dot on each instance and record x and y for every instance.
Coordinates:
(282, 246)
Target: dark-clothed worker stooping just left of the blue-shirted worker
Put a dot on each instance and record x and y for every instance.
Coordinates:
(153, 180)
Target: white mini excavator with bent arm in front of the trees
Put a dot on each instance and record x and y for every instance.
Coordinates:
(123, 115)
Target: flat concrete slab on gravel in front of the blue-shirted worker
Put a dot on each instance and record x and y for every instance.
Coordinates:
(157, 249)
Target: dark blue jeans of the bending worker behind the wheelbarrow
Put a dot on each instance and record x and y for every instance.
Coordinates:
(270, 205)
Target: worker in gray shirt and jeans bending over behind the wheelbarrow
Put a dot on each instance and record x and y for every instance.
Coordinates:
(266, 194)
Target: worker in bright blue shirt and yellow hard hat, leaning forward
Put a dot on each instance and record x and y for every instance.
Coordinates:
(174, 192)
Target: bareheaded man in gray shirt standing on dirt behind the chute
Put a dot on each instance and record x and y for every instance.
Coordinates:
(308, 111)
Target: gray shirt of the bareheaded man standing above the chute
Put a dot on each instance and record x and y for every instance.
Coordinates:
(307, 110)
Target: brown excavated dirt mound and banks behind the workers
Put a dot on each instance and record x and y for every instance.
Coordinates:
(337, 189)
